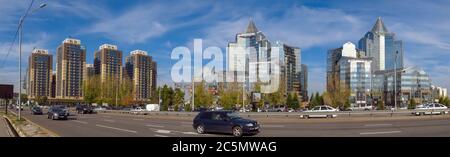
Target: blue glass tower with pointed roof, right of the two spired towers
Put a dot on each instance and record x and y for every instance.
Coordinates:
(382, 46)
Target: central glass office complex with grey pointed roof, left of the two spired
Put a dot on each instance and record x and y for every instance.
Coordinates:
(250, 58)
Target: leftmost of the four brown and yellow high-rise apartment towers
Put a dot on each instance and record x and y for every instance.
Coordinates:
(39, 74)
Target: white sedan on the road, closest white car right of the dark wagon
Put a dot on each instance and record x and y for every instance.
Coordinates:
(320, 112)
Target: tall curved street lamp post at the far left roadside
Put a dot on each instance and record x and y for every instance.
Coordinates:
(20, 51)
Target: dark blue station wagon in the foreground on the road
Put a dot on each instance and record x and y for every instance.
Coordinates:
(228, 122)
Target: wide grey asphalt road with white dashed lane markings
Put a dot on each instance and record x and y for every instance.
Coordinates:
(114, 125)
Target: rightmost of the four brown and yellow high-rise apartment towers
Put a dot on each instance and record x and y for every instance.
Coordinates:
(141, 69)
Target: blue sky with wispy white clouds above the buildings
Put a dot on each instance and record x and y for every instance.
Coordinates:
(157, 27)
